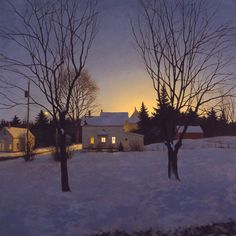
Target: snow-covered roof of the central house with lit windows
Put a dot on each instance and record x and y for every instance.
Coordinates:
(107, 119)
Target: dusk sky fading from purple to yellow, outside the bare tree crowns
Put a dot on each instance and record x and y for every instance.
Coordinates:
(113, 60)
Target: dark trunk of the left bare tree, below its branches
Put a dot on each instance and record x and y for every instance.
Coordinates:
(63, 155)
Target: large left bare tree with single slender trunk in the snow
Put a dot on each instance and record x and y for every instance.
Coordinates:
(54, 37)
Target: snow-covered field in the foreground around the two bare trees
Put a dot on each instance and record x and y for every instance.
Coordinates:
(112, 191)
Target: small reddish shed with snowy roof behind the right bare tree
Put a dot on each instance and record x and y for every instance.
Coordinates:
(193, 132)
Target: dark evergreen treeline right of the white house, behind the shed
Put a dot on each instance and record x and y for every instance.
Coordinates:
(212, 123)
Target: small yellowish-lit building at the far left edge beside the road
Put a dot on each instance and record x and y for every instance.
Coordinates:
(13, 139)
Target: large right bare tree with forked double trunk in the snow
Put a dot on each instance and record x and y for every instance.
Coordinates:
(184, 49)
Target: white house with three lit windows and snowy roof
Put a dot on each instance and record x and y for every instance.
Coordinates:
(109, 132)
